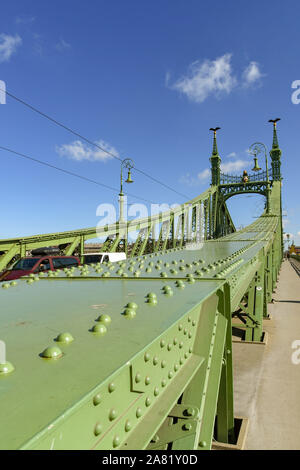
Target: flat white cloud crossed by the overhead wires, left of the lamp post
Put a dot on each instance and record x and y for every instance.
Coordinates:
(79, 151)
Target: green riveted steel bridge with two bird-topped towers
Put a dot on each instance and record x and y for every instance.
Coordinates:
(138, 354)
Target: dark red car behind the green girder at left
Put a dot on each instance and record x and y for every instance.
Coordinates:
(26, 266)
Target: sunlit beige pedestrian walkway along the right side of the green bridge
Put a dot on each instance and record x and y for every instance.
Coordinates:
(267, 383)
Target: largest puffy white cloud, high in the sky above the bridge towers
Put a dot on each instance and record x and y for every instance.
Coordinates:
(211, 77)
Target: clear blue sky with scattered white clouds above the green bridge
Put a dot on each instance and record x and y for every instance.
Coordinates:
(146, 80)
